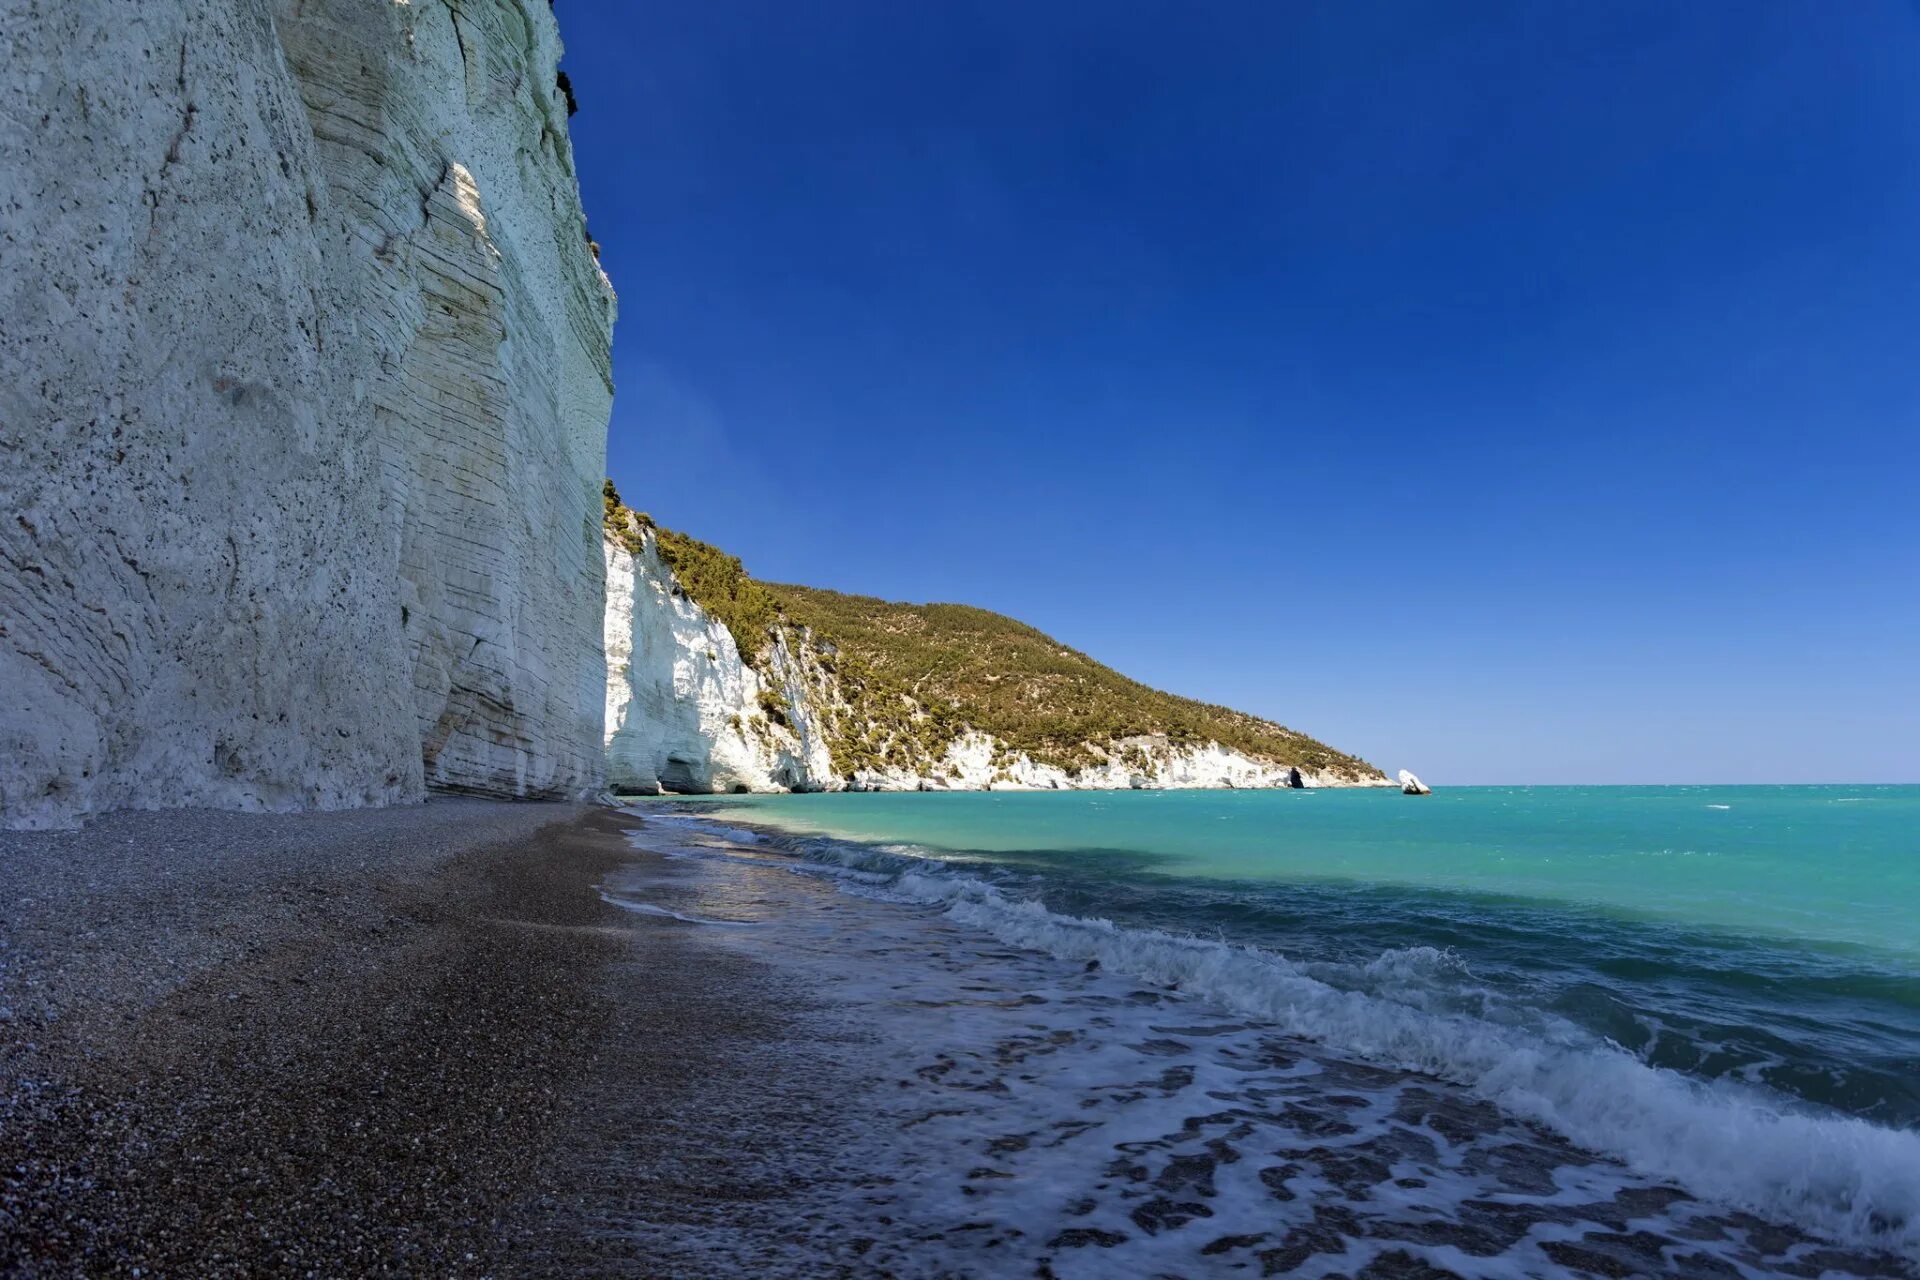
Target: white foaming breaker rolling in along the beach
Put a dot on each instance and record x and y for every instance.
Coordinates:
(1727, 1141)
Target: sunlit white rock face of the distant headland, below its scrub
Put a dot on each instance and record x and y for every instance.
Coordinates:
(688, 713)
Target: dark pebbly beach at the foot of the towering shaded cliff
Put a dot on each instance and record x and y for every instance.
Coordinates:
(324, 1045)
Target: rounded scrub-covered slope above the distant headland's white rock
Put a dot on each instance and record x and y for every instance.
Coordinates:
(1026, 688)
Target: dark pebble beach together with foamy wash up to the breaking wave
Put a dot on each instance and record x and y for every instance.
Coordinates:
(554, 1041)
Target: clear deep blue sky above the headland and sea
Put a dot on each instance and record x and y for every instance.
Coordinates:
(1510, 392)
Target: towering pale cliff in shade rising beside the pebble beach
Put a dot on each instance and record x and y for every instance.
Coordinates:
(304, 389)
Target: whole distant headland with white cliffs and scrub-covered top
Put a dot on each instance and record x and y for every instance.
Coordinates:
(717, 682)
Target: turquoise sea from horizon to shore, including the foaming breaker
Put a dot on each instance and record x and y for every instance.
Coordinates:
(1716, 980)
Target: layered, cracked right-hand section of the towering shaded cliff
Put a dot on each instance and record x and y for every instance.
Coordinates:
(487, 320)
